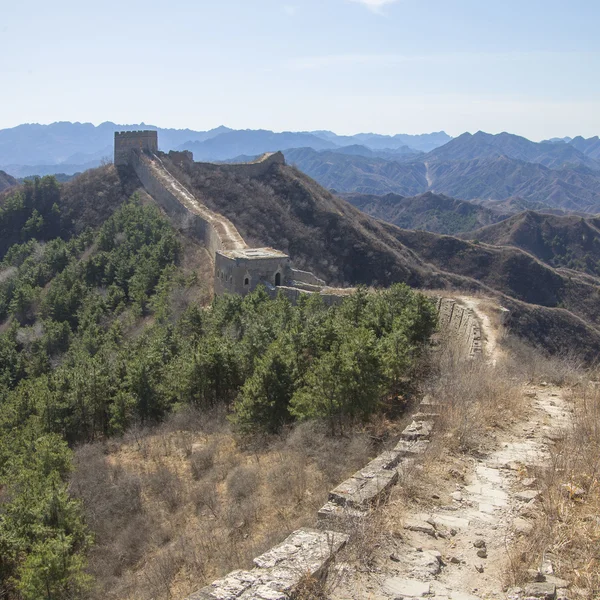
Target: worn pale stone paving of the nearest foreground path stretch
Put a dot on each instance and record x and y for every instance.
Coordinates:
(457, 551)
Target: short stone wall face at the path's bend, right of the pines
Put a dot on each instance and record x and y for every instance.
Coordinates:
(459, 326)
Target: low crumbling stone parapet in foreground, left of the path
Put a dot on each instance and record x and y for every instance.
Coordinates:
(309, 552)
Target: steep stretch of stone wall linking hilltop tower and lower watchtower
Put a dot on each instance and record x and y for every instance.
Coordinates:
(215, 231)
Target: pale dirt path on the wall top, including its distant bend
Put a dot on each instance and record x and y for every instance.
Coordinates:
(456, 544)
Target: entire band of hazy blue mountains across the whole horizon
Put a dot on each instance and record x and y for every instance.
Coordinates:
(502, 172)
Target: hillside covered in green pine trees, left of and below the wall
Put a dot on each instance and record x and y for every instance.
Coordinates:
(104, 327)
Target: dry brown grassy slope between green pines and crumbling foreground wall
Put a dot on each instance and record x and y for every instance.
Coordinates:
(176, 507)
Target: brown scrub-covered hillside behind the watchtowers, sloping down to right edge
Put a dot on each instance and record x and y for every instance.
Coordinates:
(283, 208)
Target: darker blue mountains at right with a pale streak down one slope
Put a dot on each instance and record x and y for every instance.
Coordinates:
(484, 168)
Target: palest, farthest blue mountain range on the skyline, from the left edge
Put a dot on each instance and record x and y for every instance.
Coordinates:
(66, 147)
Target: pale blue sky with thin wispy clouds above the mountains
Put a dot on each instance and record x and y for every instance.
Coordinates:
(529, 67)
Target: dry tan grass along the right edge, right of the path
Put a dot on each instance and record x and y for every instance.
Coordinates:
(567, 522)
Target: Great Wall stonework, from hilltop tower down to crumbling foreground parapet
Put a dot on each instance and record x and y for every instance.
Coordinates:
(239, 269)
